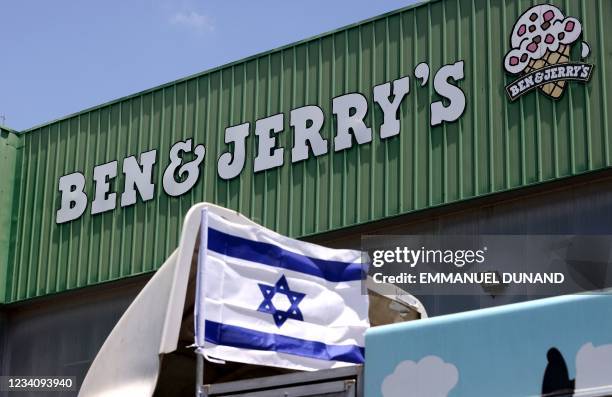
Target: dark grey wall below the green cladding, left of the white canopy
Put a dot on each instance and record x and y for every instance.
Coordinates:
(61, 335)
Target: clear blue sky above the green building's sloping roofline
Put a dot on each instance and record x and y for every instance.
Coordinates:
(60, 56)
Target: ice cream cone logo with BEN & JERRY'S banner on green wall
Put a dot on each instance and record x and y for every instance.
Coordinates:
(540, 43)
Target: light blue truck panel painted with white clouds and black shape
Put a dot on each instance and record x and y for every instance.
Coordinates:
(524, 349)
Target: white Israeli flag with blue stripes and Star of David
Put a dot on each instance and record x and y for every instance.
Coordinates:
(266, 299)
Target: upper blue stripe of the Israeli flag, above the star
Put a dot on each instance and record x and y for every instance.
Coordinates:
(272, 255)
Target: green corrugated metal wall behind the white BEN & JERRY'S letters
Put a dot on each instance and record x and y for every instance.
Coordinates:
(495, 146)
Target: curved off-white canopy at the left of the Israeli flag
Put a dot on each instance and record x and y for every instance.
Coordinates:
(129, 361)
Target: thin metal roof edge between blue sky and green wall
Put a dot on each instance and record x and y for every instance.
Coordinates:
(417, 4)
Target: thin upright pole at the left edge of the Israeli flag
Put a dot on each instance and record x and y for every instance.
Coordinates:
(199, 321)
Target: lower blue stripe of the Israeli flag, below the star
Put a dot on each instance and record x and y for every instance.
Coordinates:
(245, 338)
